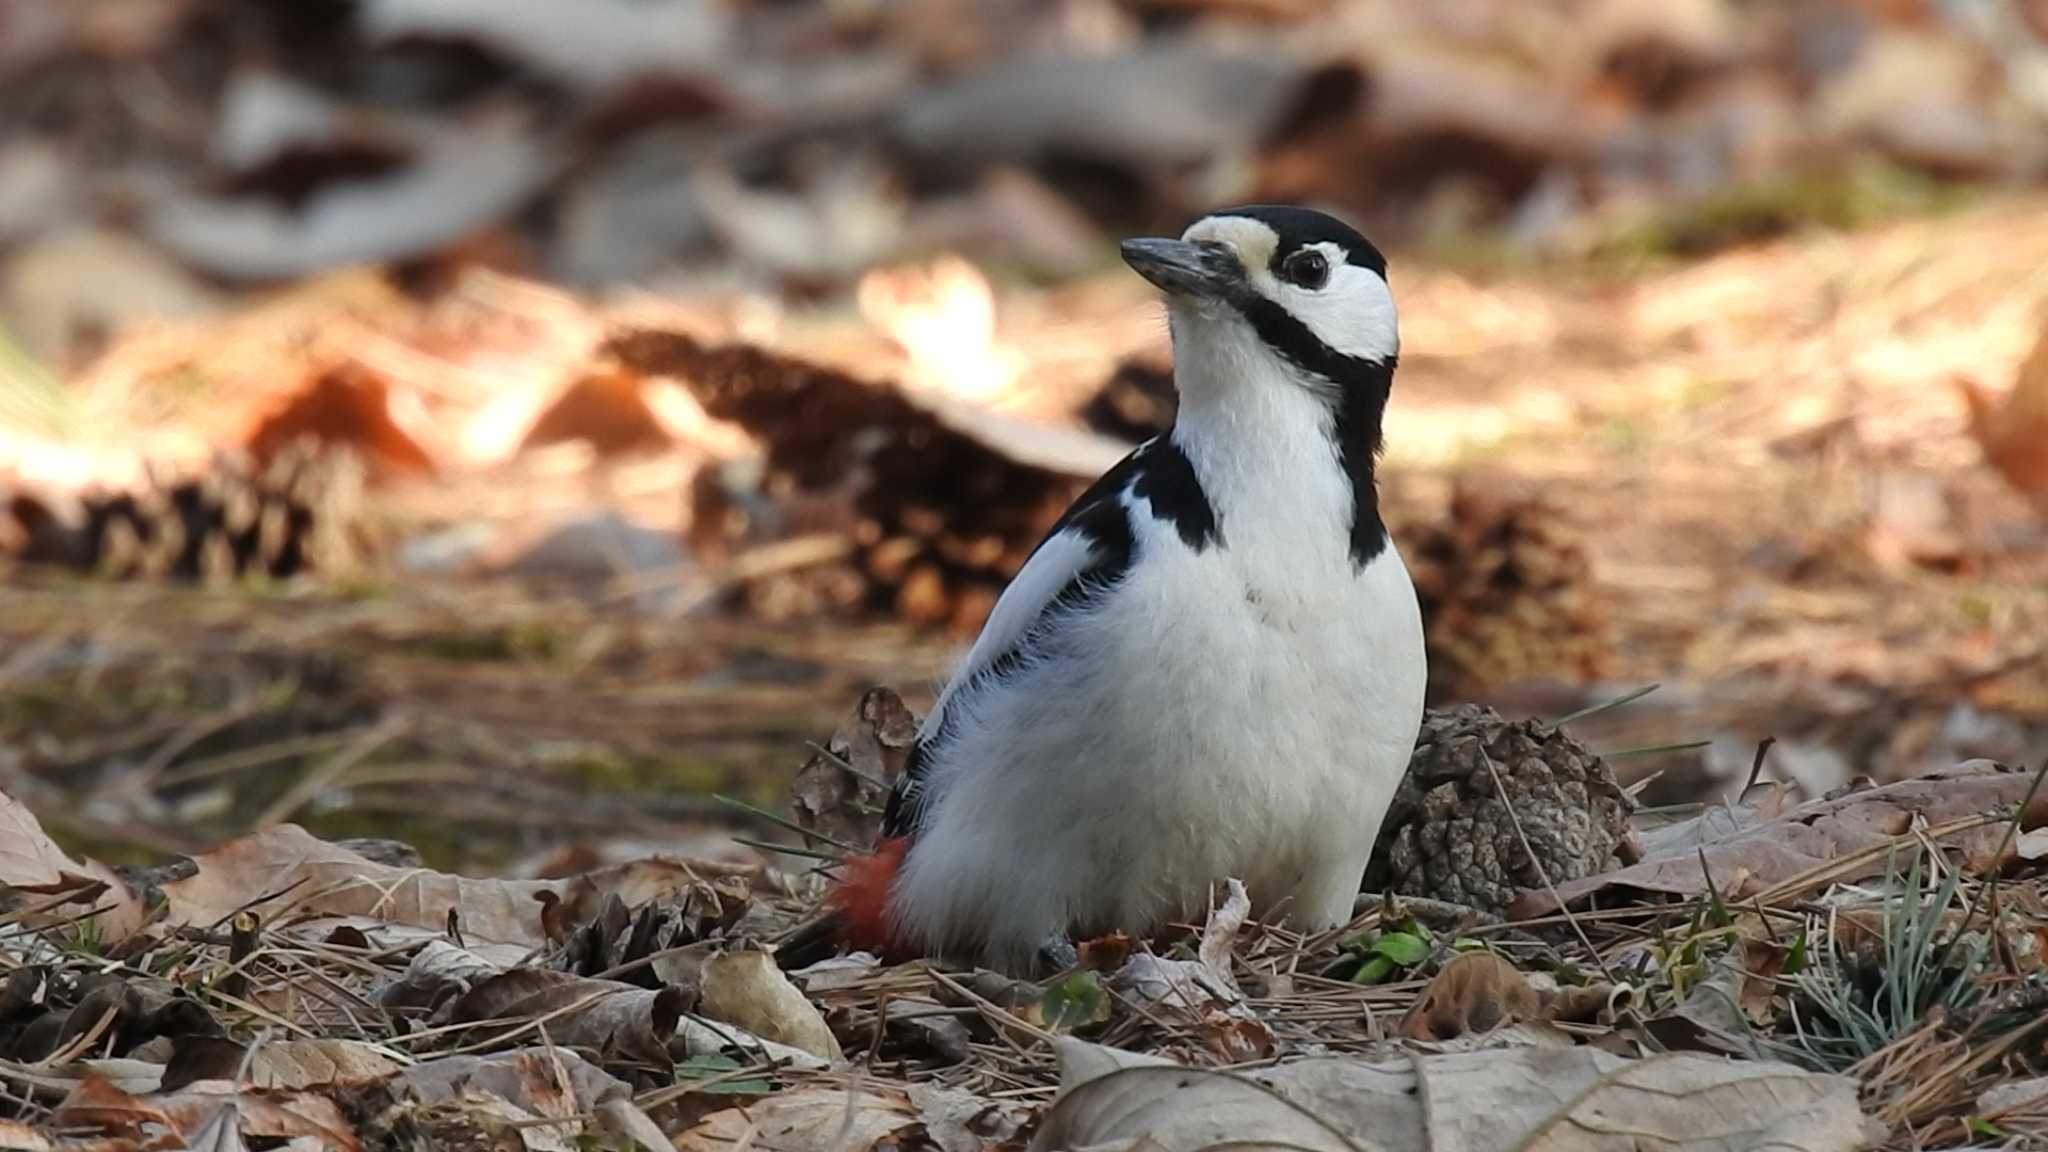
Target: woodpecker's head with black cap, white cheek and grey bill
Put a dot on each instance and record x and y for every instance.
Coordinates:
(1289, 284)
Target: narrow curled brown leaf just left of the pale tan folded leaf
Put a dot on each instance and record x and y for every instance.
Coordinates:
(601, 1016)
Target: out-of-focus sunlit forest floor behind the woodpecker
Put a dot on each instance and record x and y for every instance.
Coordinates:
(503, 425)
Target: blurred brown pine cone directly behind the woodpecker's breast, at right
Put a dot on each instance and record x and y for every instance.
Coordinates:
(1506, 595)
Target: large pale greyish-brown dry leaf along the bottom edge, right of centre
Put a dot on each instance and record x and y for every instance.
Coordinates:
(1558, 1100)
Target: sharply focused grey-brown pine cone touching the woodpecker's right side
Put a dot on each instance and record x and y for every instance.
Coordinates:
(1453, 835)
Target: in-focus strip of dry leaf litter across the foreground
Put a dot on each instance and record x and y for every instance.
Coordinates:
(1498, 1032)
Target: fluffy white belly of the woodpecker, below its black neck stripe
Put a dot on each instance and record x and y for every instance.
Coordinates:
(1215, 718)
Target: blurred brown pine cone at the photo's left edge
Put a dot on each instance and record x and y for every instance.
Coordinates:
(234, 520)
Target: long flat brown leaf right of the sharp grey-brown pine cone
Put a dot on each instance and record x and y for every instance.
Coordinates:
(1760, 856)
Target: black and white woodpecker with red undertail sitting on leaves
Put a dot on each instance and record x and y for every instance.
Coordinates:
(1209, 669)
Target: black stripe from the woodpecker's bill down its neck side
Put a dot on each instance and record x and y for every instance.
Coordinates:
(1361, 390)
